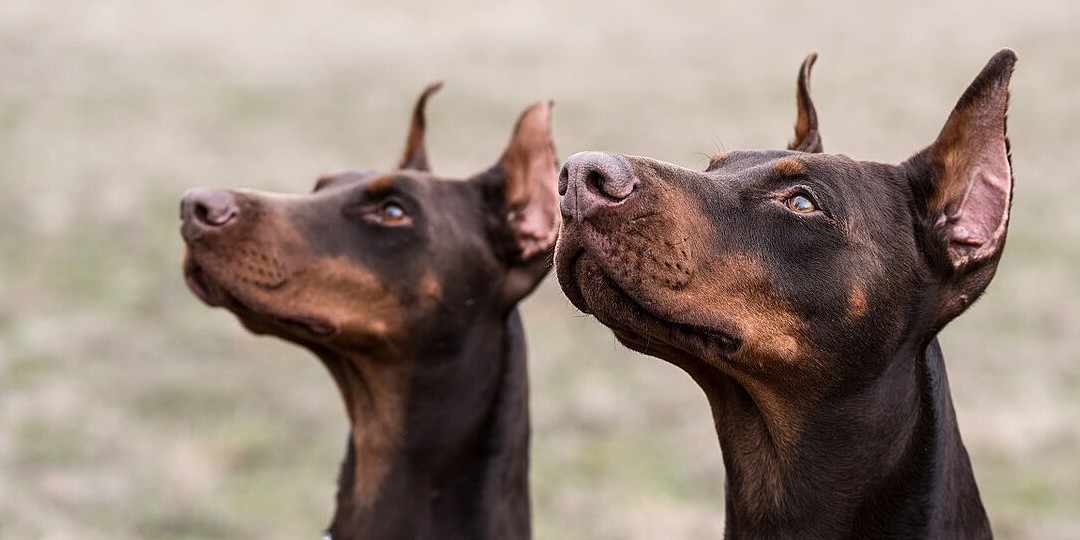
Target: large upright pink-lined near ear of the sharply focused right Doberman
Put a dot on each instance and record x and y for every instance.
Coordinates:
(963, 185)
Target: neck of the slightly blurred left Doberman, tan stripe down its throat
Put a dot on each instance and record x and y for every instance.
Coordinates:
(439, 447)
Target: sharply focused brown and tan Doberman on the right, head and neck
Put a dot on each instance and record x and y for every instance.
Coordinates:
(804, 293)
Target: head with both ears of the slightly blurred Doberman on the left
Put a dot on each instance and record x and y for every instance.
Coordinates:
(382, 262)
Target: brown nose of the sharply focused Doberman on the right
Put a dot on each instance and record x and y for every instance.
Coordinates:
(592, 181)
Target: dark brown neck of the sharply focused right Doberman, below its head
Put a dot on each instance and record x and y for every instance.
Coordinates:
(855, 466)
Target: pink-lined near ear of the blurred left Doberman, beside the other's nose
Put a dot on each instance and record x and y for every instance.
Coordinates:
(523, 191)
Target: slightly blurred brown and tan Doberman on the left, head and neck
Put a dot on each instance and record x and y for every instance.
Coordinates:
(406, 286)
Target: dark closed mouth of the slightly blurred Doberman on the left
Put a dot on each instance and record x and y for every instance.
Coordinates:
(252, 313)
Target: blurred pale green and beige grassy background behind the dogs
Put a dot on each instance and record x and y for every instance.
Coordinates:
(129, 410)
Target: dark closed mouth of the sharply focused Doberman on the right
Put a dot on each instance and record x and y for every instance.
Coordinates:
(598, 292)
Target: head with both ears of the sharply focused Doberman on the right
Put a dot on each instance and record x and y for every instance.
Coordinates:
(786, 265)
